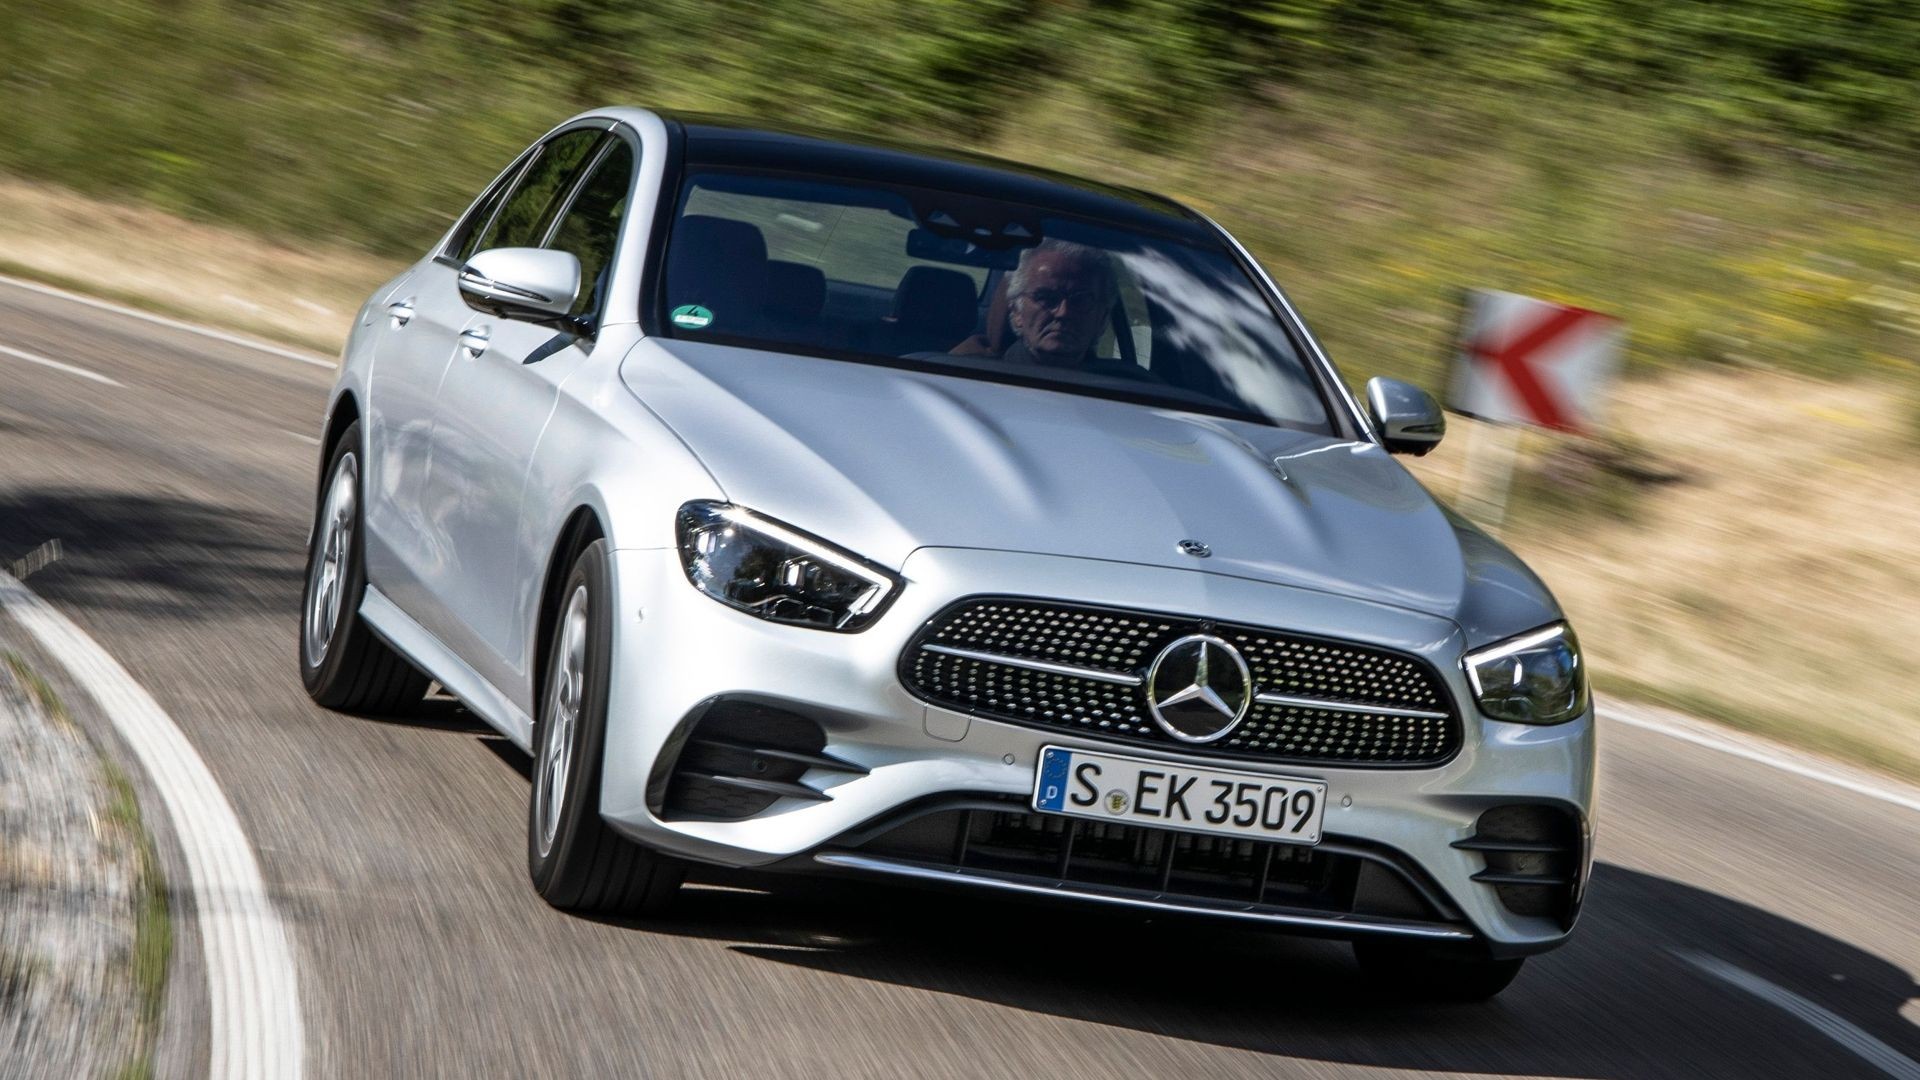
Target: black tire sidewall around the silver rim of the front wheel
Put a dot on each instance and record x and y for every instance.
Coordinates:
(564, 868)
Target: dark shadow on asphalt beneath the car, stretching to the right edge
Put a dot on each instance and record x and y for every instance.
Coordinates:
(1621, 1000)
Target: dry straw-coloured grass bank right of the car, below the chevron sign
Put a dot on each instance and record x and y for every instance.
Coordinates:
(1777, 585)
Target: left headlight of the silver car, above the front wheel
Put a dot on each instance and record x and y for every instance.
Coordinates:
(779, 574)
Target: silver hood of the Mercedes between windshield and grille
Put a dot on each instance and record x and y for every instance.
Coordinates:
(884, 462)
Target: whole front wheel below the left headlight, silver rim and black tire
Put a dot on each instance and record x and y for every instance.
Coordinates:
(577, 862)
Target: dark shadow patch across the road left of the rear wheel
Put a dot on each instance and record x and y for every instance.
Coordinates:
(153, 554)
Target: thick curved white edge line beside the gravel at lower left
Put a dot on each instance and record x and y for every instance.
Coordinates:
(252, 987)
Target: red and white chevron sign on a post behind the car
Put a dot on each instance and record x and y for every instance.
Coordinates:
(1525, 360)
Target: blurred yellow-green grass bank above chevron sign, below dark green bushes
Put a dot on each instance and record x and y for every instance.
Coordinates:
(1376, 207)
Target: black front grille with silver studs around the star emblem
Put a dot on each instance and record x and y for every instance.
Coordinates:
(1366, 706)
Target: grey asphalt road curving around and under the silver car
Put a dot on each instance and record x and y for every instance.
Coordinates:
(1742, 921)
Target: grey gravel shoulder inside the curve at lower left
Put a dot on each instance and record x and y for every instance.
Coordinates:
(85, 931)
